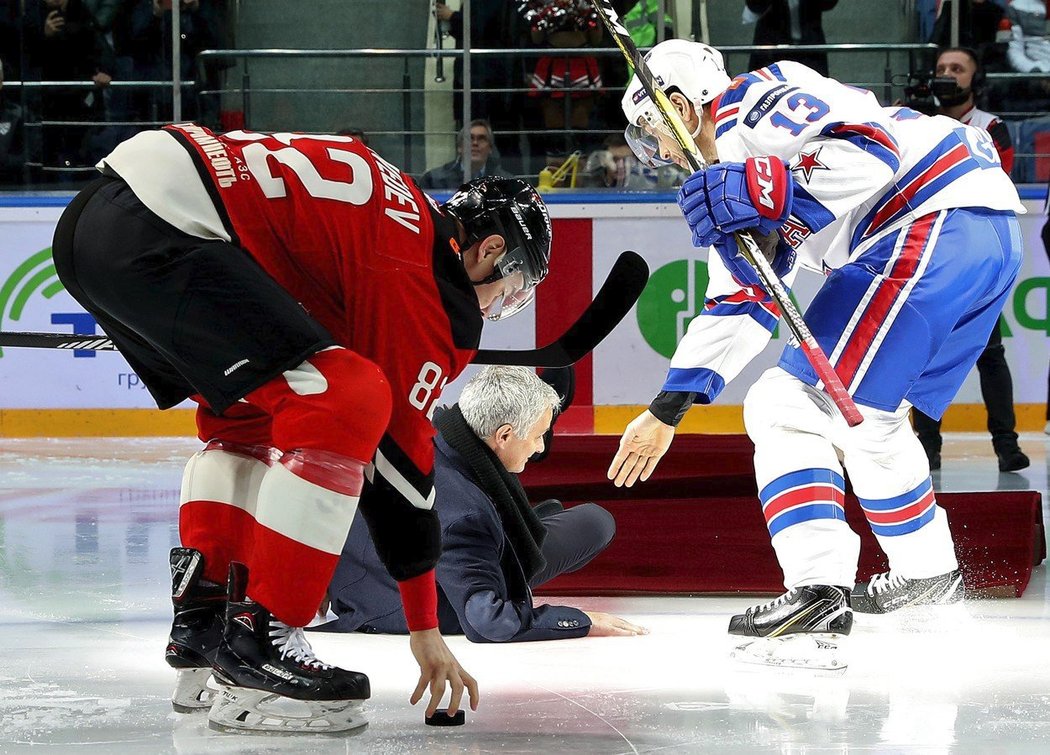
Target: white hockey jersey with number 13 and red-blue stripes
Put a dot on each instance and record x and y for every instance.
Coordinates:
(862, 171)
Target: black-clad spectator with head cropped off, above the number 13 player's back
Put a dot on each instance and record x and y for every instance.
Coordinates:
(789, 23)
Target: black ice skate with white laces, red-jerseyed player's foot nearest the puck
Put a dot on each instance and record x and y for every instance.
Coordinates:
(270, 680)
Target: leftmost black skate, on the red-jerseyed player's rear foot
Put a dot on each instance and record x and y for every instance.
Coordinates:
(200, 611)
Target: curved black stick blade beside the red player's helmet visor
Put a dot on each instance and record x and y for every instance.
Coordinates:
(615, 300)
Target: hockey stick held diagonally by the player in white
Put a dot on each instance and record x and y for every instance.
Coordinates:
(745, 244)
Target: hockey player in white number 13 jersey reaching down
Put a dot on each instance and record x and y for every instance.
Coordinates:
(912, 221)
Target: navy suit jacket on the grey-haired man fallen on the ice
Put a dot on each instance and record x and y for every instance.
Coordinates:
(482, 591)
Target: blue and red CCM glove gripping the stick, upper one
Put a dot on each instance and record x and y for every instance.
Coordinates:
(733, 197)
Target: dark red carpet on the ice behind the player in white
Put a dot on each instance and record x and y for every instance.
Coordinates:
(697, 527)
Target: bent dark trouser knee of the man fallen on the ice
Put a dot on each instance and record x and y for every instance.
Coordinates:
(575, 537)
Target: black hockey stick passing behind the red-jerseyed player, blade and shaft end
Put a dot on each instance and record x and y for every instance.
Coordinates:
(616, 299)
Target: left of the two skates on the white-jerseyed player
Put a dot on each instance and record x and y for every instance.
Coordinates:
(803, 630)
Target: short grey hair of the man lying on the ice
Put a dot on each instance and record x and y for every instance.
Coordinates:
(507, 395)
